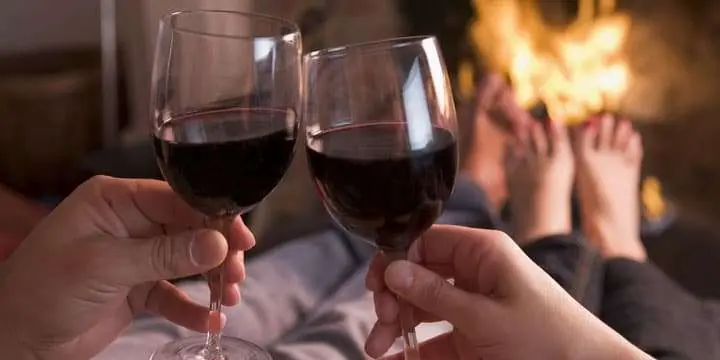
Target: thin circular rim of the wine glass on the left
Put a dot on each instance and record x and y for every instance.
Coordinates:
(167, 20)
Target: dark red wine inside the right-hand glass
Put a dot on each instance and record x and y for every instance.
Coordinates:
(381, 185)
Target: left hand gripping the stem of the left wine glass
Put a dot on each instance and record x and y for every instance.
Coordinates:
(126, 237)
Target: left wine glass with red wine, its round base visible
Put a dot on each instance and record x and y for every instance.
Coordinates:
(225, 102)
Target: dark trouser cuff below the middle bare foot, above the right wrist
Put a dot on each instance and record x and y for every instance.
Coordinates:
(574, 265)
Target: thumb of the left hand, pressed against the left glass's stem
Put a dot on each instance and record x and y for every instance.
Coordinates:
(174, 256)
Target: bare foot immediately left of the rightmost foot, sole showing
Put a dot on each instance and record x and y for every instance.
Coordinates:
(540, 176)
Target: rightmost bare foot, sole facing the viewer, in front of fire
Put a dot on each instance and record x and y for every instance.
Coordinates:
(609, 155)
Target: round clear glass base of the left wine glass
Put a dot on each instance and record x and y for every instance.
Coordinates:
(193, 348)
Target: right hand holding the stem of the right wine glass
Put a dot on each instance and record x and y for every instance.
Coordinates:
(502, 305)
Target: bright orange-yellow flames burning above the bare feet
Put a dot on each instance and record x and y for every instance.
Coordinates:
(575, 72)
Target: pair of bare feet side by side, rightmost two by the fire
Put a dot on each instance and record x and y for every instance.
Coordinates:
(603, 161)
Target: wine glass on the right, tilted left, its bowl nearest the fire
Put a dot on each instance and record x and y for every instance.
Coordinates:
(381, 142)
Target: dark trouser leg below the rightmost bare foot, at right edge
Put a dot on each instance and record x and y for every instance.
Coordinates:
(655, 314)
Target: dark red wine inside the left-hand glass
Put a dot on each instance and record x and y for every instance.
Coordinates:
(224, 162)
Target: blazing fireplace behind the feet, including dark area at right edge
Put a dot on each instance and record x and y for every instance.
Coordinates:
(649, 60)
